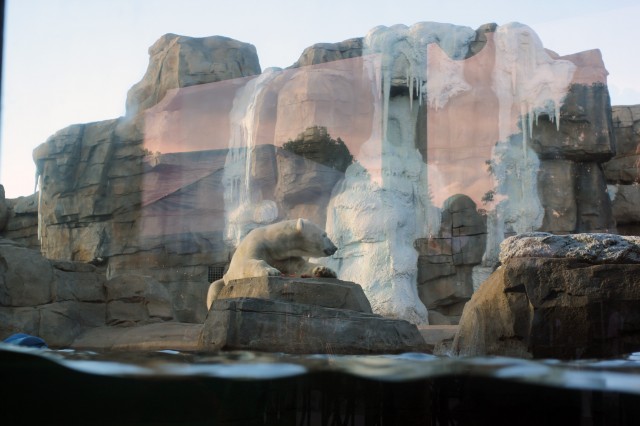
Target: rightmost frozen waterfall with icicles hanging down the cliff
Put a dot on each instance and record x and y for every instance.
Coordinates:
(527, 83)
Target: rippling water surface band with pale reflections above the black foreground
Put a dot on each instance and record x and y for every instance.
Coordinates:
(618, 375)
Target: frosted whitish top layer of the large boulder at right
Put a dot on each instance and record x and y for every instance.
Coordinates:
(600, 248)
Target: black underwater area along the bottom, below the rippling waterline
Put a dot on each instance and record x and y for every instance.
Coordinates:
(38, 389)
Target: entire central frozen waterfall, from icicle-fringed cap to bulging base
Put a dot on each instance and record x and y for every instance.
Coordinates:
(376, 214)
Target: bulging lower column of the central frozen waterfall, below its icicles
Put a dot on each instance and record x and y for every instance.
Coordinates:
(374, 220)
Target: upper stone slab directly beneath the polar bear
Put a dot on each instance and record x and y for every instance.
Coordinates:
(324, 292)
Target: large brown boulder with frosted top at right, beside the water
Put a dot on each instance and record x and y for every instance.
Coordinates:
(568, 297)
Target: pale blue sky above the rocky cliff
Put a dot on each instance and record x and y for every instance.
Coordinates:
(73, 61)
